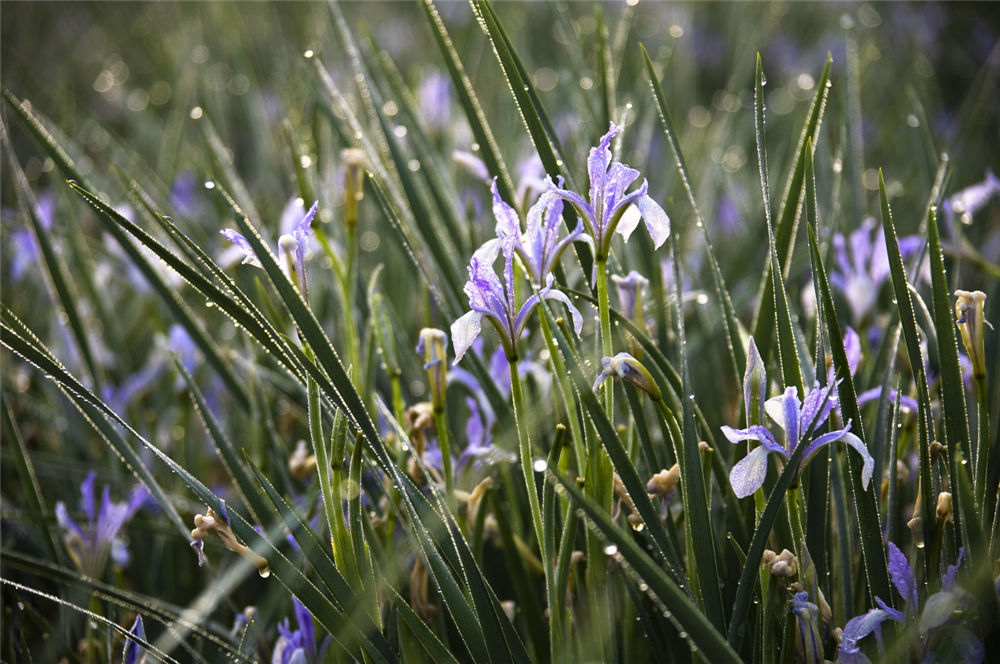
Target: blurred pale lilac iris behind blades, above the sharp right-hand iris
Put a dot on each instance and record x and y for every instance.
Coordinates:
(862, 265)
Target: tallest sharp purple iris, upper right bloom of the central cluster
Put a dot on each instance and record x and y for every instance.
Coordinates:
(610, 208)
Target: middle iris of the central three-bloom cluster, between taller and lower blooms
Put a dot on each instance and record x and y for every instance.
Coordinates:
(539, 247)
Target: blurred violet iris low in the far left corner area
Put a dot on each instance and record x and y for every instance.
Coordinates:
(90, 544)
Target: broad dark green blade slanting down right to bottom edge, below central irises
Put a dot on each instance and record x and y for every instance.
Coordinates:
(669, 596)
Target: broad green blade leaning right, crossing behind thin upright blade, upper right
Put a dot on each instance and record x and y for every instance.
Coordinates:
(788, 215)
